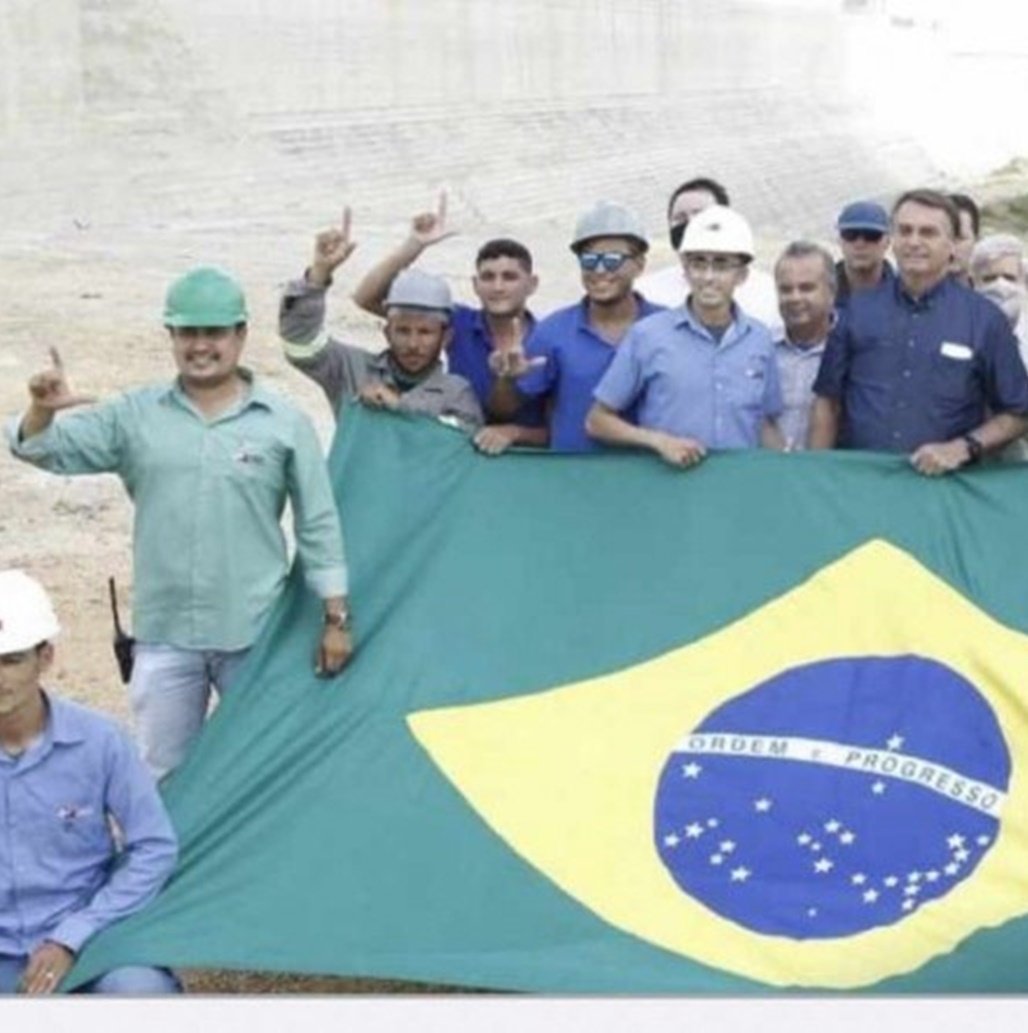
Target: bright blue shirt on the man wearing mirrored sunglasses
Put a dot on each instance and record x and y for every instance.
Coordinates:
(576, 360)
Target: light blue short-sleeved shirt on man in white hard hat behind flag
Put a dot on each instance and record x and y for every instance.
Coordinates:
(686, 383)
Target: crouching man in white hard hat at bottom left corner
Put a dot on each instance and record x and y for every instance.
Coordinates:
(66, 774)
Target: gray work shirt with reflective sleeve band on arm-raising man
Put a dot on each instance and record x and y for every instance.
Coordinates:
(342, 370)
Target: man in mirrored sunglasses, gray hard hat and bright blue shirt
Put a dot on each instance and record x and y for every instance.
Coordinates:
(569, 352)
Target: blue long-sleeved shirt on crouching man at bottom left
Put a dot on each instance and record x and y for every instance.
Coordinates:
(61, 877)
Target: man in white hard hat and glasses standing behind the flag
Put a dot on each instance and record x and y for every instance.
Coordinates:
(700, 377)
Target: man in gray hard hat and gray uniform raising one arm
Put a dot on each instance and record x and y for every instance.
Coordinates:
(409, 377)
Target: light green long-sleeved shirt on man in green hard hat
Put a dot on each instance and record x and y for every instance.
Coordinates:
(209, 549)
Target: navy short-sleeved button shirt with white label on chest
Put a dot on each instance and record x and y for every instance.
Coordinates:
(909, 372)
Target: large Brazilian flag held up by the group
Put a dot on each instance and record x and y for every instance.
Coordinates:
(615, 728)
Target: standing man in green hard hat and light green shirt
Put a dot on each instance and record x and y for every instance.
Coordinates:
(210, 461)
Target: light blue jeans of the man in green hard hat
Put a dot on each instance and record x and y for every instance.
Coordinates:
(171, 693)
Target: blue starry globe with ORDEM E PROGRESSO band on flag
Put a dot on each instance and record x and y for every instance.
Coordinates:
(834, 798)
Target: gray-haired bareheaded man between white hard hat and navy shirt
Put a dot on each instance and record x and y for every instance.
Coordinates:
(805, 278)
